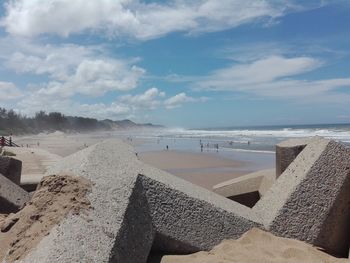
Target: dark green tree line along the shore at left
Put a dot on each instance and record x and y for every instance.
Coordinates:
(15, 123)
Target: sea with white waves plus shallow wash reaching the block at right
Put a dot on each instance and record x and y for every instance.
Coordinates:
(253, 144)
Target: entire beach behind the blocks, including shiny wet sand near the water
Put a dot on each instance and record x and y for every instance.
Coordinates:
(204, 169)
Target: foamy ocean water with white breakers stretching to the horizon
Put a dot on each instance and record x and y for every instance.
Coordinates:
(253, 139)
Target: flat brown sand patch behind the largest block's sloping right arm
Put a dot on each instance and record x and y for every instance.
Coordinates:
(203, 169)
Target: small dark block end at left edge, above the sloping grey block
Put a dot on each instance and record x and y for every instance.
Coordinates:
(11, 168)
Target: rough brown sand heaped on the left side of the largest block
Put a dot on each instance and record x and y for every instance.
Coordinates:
(56, 197)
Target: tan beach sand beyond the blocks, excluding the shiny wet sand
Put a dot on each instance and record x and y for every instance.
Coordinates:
(203, 169)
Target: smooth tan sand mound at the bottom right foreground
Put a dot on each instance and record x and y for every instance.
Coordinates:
(257, 246)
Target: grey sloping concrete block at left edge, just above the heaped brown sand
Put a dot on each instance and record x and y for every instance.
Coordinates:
(12, 197)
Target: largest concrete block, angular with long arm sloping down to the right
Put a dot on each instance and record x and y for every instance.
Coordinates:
(136, 208)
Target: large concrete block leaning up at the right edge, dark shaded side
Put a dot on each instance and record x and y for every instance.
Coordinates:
(310, 200)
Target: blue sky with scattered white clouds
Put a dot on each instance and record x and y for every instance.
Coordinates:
(191, 64)
